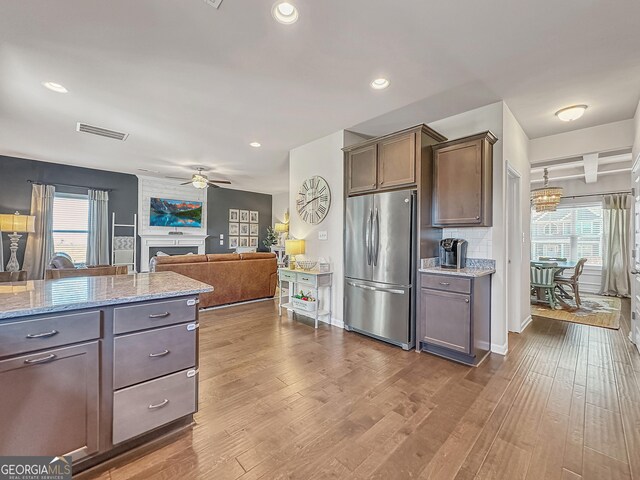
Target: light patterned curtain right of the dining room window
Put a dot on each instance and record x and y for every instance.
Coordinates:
(616, 220)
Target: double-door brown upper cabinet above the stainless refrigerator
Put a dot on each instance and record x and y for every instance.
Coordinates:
(387, 162)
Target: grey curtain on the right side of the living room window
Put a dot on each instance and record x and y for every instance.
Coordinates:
(98, 238)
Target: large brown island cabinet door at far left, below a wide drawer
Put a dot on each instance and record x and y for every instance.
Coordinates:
(51, 403)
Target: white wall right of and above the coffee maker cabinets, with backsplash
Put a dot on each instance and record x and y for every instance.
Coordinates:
(490, 117)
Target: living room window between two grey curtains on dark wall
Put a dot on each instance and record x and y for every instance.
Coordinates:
(71, 225)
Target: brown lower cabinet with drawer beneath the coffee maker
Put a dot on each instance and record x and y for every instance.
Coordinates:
(454, 316)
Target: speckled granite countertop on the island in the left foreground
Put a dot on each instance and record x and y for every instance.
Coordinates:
(46, 296)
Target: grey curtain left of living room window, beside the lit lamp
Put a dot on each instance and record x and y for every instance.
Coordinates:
(39, 248)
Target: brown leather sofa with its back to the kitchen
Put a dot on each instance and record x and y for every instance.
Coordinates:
(234, 277)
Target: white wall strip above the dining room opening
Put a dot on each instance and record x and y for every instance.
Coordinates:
(602, 138)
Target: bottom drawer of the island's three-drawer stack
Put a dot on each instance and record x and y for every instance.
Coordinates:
(140, 409)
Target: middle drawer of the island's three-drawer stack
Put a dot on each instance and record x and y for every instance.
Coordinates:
(141, 356)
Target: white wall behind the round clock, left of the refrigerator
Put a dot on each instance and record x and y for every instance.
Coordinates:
(321, 157)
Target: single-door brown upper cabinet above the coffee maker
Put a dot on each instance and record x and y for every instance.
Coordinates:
(462, 183)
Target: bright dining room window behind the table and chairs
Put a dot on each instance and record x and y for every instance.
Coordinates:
(571, 231)
